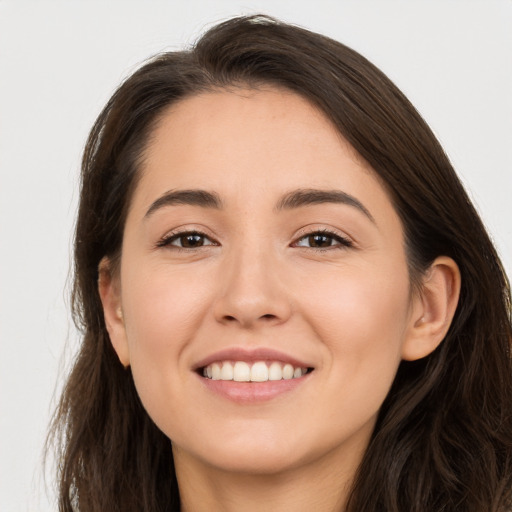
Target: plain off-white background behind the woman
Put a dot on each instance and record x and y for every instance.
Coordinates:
(59, 63)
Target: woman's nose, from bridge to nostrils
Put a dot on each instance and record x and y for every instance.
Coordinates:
(253, 291)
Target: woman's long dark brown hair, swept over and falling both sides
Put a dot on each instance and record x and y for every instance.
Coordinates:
(443, 438)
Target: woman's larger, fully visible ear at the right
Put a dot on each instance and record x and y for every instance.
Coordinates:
(432, 309)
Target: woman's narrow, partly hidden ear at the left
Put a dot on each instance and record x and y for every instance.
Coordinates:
(110, 293)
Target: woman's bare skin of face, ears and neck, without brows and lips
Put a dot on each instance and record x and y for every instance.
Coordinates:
(347, 310)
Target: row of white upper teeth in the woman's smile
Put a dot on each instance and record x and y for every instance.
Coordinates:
(260, 371)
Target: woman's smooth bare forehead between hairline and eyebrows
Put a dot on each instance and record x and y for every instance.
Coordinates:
(246, 143)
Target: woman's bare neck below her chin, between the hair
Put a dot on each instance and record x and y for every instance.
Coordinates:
(321, 486)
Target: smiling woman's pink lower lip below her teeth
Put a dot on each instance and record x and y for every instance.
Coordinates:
(253, 392)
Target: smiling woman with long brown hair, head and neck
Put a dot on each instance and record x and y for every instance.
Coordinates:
(287, 299)
